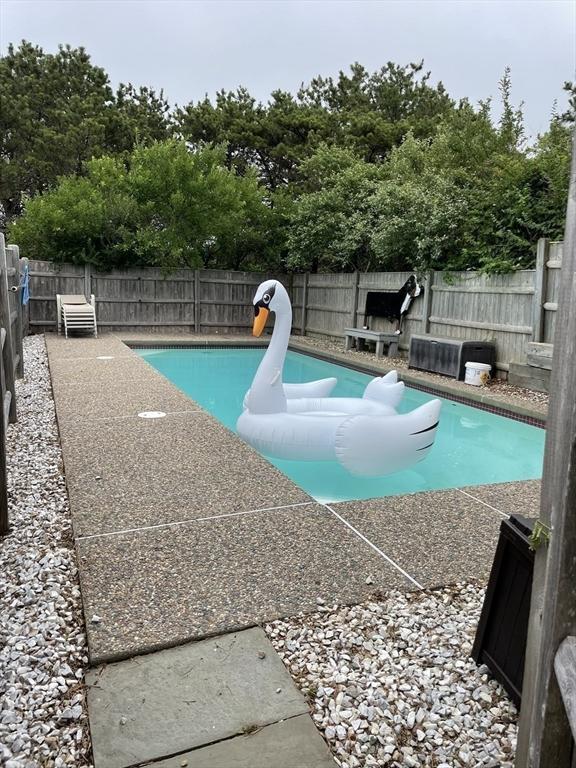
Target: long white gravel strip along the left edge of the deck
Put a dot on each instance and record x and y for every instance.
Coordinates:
(43, 718)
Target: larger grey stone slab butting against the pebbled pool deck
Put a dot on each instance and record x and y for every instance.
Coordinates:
(181, 698)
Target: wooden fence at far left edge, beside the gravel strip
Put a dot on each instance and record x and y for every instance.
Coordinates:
(11, 360)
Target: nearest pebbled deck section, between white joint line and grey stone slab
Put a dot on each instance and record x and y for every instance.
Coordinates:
(159, 587)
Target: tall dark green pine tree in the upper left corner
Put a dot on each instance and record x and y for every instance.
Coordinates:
(57, 111)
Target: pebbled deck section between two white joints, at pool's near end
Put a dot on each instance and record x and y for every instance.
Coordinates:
(439, 537)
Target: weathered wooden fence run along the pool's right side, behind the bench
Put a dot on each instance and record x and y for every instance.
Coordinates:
(510, 309)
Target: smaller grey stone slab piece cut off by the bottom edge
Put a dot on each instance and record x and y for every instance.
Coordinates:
(294, 743)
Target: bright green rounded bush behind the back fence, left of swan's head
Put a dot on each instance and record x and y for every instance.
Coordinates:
(164, 206)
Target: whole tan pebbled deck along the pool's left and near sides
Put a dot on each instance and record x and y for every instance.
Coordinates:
(183, 532)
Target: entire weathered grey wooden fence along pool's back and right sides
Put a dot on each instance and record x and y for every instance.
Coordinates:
(511, 310)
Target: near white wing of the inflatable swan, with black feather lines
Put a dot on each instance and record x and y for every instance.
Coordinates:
(372, 446)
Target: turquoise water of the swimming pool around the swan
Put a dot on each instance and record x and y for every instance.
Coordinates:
(472, 447)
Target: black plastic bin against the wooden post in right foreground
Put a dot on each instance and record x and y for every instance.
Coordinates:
(500, 641)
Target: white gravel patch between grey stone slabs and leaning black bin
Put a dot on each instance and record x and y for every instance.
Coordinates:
(391, 683)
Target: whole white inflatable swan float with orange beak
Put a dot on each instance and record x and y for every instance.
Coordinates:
(365, 434)
